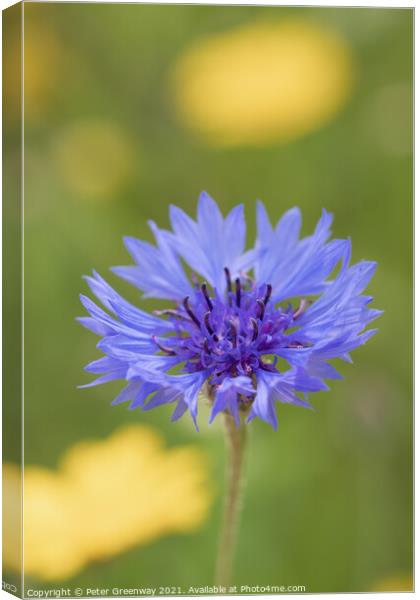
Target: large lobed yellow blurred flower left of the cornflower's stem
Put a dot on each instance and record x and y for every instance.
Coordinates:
(106, 497)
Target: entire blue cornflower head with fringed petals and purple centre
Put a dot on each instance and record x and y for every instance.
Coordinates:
(233, 316)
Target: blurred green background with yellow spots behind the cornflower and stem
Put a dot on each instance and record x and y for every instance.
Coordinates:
(127, 109)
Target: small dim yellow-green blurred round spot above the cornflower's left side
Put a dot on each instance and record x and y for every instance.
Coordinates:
(94, 157)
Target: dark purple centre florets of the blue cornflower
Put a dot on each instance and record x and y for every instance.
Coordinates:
(232, 334)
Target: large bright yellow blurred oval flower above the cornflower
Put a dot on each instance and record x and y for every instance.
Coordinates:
(262, 83)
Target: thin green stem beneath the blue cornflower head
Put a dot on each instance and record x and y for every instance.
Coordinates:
(236, 438)
